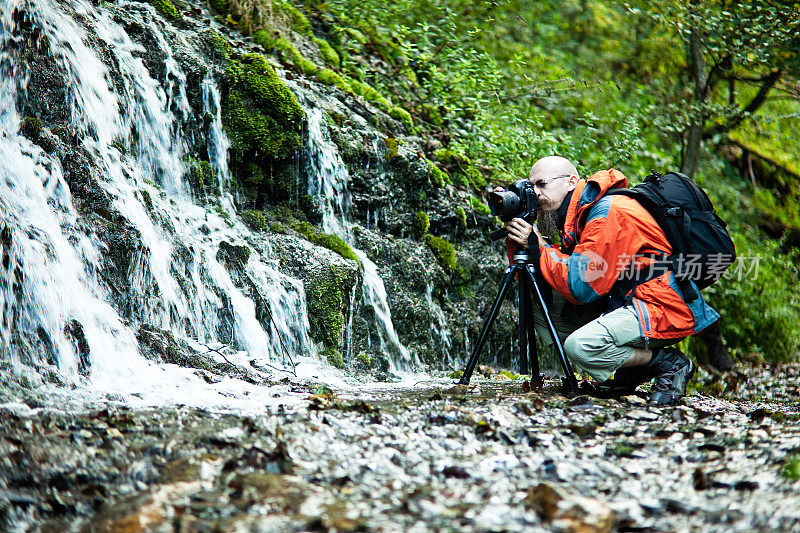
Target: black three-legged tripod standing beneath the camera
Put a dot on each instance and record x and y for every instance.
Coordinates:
(527, 334)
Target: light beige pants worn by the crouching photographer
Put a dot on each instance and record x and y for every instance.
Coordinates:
(598, 344)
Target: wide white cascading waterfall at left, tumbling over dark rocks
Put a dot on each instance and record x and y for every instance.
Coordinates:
(55, 298)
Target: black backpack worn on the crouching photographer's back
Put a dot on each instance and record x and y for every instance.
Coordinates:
(702, 248)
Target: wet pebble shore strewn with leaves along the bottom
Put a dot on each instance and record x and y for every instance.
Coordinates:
(488, 457)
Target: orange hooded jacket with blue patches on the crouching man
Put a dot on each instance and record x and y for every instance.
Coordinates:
(605, 235)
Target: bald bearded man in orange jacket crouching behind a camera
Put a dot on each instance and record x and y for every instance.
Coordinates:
(603, 237)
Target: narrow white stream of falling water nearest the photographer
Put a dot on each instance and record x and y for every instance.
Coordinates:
(328, 183)
